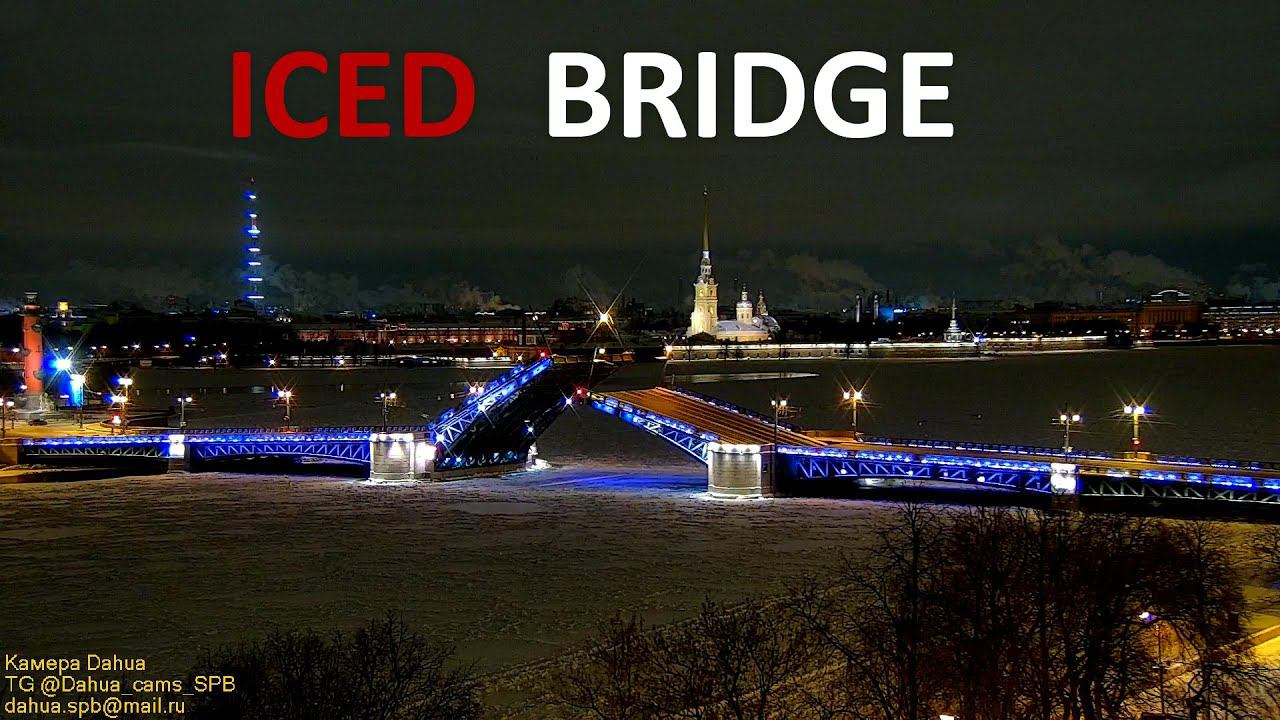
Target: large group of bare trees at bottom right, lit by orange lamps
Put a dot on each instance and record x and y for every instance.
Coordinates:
(984, 616)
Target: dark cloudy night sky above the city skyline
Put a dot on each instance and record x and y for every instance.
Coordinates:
(1099, 152)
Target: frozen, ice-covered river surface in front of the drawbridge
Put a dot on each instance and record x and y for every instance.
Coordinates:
(509, 569)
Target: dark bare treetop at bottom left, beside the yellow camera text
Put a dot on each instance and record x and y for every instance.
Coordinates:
(382, 672)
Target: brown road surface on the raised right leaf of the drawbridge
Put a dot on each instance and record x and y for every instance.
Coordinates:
(728, 426)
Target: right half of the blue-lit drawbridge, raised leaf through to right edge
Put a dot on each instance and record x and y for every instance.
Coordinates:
(749, 454)
